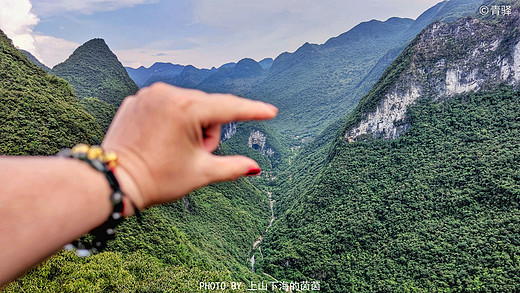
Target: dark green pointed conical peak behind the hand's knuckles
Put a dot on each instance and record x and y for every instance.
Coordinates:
(94, 71)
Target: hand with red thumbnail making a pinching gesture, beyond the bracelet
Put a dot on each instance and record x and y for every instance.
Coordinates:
(164, 137)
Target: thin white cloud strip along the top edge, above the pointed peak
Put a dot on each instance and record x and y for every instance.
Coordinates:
(52, 7)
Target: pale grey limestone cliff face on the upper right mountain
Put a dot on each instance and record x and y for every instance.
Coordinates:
(444, 60)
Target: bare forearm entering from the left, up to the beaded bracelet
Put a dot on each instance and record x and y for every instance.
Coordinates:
(46, 203)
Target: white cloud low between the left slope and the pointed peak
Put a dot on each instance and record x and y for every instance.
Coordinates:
(53, 50)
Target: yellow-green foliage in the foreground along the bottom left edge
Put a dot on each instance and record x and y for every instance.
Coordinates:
(113, 272)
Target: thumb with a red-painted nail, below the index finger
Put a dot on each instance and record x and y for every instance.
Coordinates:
(225, 168)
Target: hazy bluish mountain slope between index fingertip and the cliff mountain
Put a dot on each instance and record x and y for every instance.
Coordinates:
(309, 85)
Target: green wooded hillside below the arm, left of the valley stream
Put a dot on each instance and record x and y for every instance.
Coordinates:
(205, 237)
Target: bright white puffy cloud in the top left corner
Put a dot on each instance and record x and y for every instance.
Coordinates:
(17, 21)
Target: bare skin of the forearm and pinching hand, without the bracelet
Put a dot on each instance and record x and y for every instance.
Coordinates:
(164, 138)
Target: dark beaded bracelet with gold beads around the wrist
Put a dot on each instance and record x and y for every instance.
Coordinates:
(104, 162)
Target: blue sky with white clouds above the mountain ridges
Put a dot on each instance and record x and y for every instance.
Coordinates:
(203, 33)
